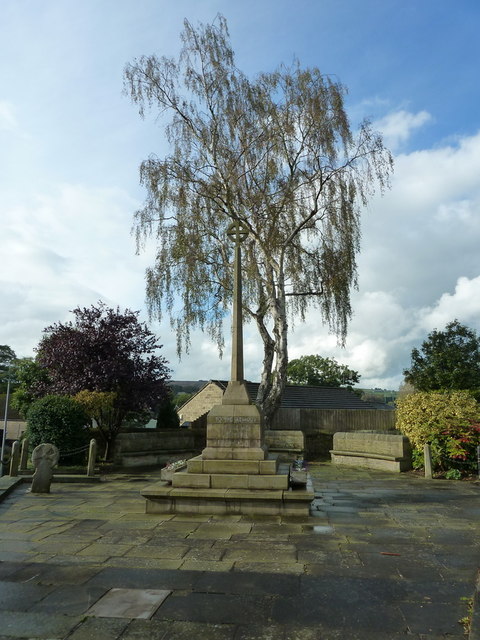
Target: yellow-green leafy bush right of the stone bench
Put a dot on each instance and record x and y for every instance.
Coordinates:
(448, 421)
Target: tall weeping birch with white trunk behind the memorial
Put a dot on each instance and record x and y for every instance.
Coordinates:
(275, 153)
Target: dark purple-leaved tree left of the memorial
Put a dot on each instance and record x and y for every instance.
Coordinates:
(109, 361)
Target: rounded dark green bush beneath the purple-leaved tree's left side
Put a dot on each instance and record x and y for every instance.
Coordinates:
(59, 420)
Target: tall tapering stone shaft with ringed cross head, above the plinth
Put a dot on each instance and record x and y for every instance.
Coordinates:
(237, 232)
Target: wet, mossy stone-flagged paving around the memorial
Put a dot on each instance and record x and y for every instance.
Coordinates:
(381, 557)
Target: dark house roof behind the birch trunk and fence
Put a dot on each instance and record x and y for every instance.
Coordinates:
(311, 397)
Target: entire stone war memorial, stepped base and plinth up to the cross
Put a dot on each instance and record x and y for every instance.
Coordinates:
(233, 474)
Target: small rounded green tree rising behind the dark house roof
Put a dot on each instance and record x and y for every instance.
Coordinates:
(321, 372)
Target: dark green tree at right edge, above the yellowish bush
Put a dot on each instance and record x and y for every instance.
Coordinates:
(448, 360)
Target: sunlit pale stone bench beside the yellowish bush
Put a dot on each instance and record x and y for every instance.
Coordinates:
(372, 450)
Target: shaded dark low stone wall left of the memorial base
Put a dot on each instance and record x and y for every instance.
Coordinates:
(153, 447)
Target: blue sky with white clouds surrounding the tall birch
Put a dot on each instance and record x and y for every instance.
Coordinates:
(71, 144)
